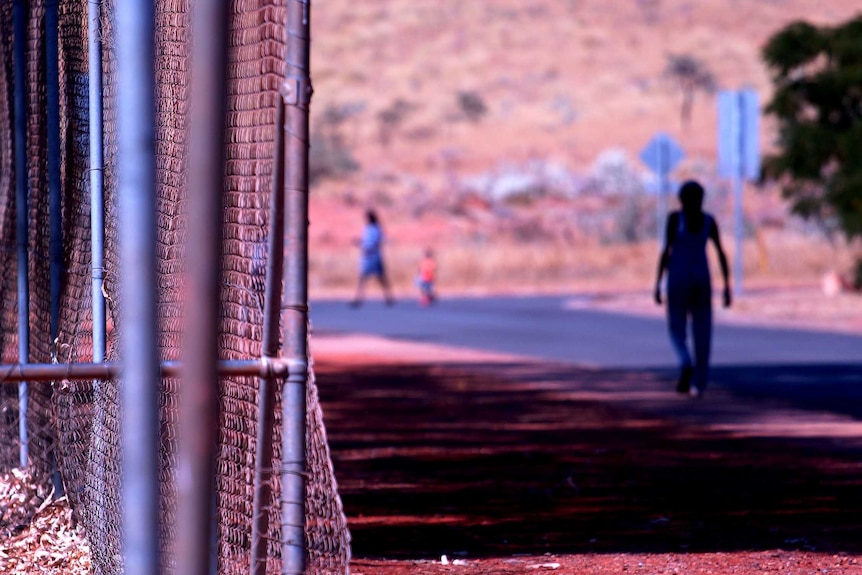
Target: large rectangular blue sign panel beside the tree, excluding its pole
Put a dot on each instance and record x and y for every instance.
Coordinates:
(738, 134)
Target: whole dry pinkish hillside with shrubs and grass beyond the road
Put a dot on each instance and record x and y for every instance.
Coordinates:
(505, 134)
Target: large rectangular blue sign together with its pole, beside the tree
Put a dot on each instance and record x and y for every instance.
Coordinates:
(738, 158)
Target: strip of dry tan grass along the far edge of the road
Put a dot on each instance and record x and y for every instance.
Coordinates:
(779, 260)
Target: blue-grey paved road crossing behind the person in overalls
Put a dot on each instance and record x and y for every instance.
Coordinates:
(547, 328)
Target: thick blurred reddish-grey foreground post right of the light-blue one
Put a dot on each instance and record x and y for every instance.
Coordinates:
(199, 406)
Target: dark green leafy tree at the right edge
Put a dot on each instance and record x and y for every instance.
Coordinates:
(817, 72)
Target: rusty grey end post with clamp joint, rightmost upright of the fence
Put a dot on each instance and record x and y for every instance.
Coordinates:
(297, 98)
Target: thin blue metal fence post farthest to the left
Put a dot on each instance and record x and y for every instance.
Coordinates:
(22, 228)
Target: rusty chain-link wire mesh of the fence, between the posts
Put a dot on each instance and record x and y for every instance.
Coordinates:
(83, 416)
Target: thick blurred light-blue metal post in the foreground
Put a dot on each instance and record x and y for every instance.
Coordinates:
(139, 393)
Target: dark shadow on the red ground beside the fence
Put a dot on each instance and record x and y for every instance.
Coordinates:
(528, 459)
